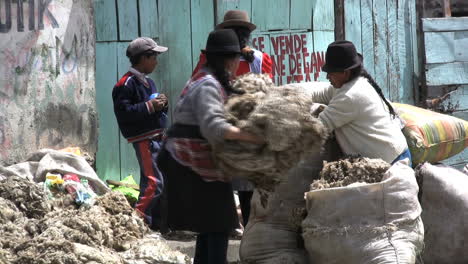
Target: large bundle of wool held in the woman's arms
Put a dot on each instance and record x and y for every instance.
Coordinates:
(279, 114)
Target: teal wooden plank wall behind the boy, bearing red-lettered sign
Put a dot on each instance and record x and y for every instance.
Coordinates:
(295, 33)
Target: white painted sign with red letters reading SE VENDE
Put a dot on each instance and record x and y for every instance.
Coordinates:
(293, 57)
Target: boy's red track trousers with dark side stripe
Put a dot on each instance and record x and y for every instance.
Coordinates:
(151, 181)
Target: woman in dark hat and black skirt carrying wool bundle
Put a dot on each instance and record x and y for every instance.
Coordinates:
(199, 197)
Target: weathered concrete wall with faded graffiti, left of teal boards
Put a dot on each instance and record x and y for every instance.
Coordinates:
(47, 90)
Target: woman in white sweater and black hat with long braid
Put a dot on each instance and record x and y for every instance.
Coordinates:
(364, 121)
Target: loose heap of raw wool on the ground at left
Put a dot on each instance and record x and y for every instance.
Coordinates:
(34, 229)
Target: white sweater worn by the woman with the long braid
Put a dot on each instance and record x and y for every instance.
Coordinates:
(360, 118)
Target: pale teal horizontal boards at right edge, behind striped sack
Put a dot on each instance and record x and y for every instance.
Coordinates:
(446, 67)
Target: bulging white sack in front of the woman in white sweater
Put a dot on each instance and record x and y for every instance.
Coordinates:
(372, 223)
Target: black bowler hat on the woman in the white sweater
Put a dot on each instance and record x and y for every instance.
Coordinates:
(341, 56)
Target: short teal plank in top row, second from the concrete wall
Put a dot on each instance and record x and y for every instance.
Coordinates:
(128, 19)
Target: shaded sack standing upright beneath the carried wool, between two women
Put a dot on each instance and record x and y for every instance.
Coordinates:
(273, 234)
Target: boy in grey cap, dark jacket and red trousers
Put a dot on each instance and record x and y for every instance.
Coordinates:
(141, 114)
